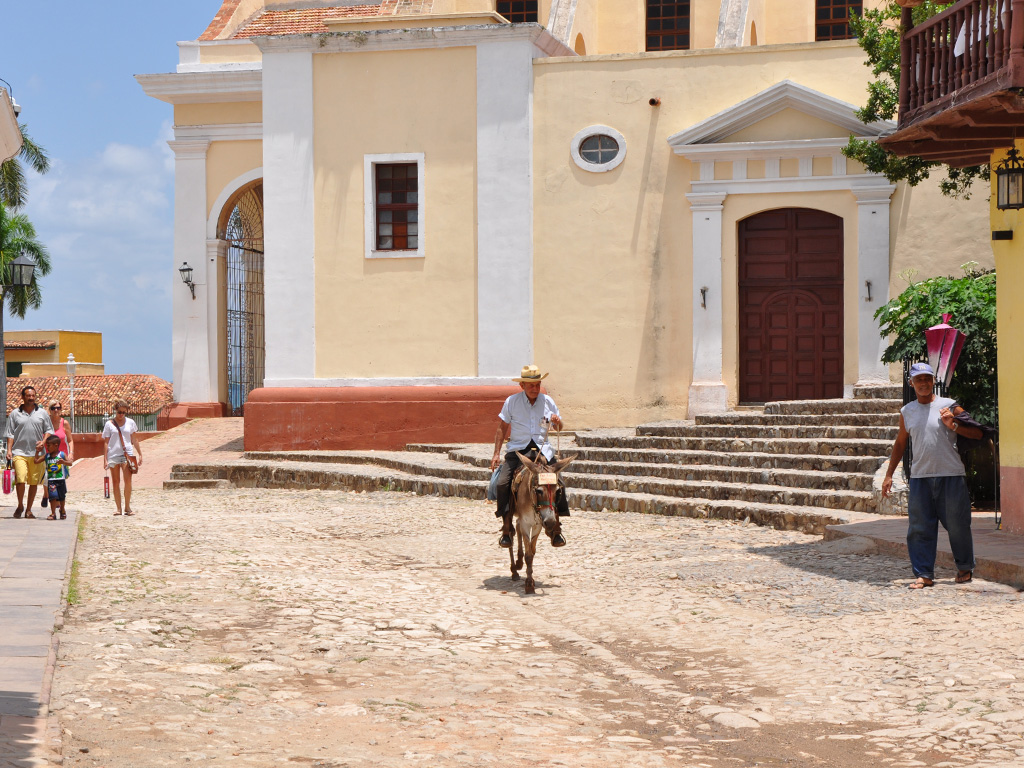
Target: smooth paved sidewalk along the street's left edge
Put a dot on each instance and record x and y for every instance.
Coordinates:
(35, 558)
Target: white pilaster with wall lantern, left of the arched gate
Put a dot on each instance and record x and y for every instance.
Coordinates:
(191, 353)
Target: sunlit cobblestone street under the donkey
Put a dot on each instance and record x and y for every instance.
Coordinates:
(267, 628)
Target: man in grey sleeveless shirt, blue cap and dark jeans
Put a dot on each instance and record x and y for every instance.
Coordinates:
(938, 484)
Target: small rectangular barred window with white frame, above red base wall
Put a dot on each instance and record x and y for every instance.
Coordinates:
(394, 206)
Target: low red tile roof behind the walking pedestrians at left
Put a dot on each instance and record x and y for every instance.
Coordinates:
(95, 396)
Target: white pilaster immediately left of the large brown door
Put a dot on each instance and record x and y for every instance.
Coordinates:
(708, 391)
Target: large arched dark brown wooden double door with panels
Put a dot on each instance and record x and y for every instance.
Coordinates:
(791, 306)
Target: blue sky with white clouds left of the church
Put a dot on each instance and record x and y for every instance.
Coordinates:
(106, 209)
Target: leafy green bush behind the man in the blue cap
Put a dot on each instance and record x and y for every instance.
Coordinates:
(971, 302)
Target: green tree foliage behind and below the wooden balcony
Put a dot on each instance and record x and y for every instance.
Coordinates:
(878, 33)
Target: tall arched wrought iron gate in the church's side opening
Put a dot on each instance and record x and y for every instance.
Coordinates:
(246, 338)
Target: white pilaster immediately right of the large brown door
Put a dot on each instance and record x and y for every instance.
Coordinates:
(873, 267)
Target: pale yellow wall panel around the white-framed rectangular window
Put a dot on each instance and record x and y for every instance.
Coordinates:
(412, 317)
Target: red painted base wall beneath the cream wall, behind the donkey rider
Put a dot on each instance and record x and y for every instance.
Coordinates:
(370, 418)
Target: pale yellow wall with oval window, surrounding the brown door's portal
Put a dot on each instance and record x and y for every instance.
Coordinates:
(613, 251)
